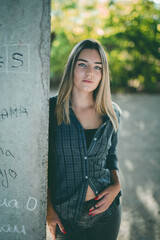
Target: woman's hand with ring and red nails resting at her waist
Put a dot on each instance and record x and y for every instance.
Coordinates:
(107, 196)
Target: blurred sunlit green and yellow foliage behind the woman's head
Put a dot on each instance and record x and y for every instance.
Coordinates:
(128, 30)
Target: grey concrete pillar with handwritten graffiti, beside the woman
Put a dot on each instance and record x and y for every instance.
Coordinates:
(24, 93)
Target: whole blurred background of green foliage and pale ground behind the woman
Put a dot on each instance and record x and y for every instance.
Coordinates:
(129, 31)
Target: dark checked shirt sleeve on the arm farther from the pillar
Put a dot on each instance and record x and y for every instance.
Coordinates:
(112, 159)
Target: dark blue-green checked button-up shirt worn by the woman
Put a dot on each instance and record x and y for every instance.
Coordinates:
(72, 167)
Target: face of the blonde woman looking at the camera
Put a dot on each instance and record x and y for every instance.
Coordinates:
(87, 71)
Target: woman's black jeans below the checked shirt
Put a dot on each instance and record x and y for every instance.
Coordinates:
(104, 226)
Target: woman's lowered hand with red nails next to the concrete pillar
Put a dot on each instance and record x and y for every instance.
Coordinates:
(52, 221)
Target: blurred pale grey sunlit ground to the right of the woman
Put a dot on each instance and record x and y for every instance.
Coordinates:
(139, 163)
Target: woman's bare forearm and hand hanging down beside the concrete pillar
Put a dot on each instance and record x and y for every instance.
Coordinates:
(52, 218)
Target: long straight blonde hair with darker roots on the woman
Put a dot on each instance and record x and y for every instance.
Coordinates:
(102, 95)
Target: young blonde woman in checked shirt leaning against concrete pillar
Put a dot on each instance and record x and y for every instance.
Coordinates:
(84, 186)
